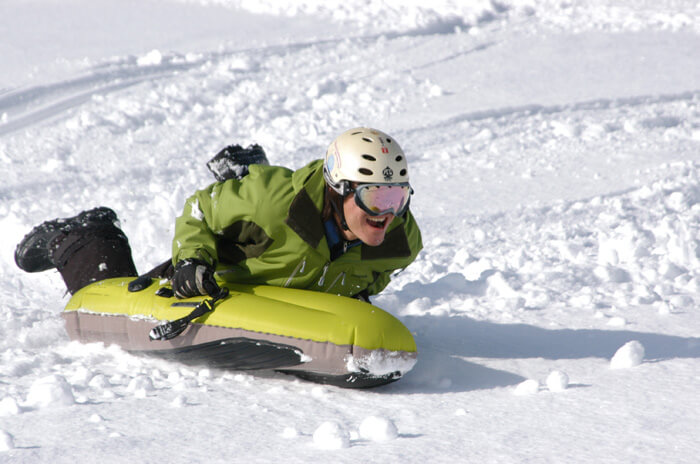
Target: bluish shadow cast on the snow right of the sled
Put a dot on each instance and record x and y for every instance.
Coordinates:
(443, 341)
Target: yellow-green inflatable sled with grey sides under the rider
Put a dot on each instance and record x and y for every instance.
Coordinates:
(316, 336)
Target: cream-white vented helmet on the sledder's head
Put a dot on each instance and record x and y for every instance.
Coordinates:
(364, 155)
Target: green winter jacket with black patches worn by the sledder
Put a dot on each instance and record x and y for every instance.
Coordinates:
(267, 229)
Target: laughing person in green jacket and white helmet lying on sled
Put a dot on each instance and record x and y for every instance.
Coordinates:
(339, 225)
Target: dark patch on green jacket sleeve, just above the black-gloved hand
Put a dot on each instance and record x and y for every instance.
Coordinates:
(242, 240)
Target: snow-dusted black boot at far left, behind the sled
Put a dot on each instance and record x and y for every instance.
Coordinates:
(35, 252)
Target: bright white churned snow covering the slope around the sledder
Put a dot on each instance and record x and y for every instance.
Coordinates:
(555, 153)
